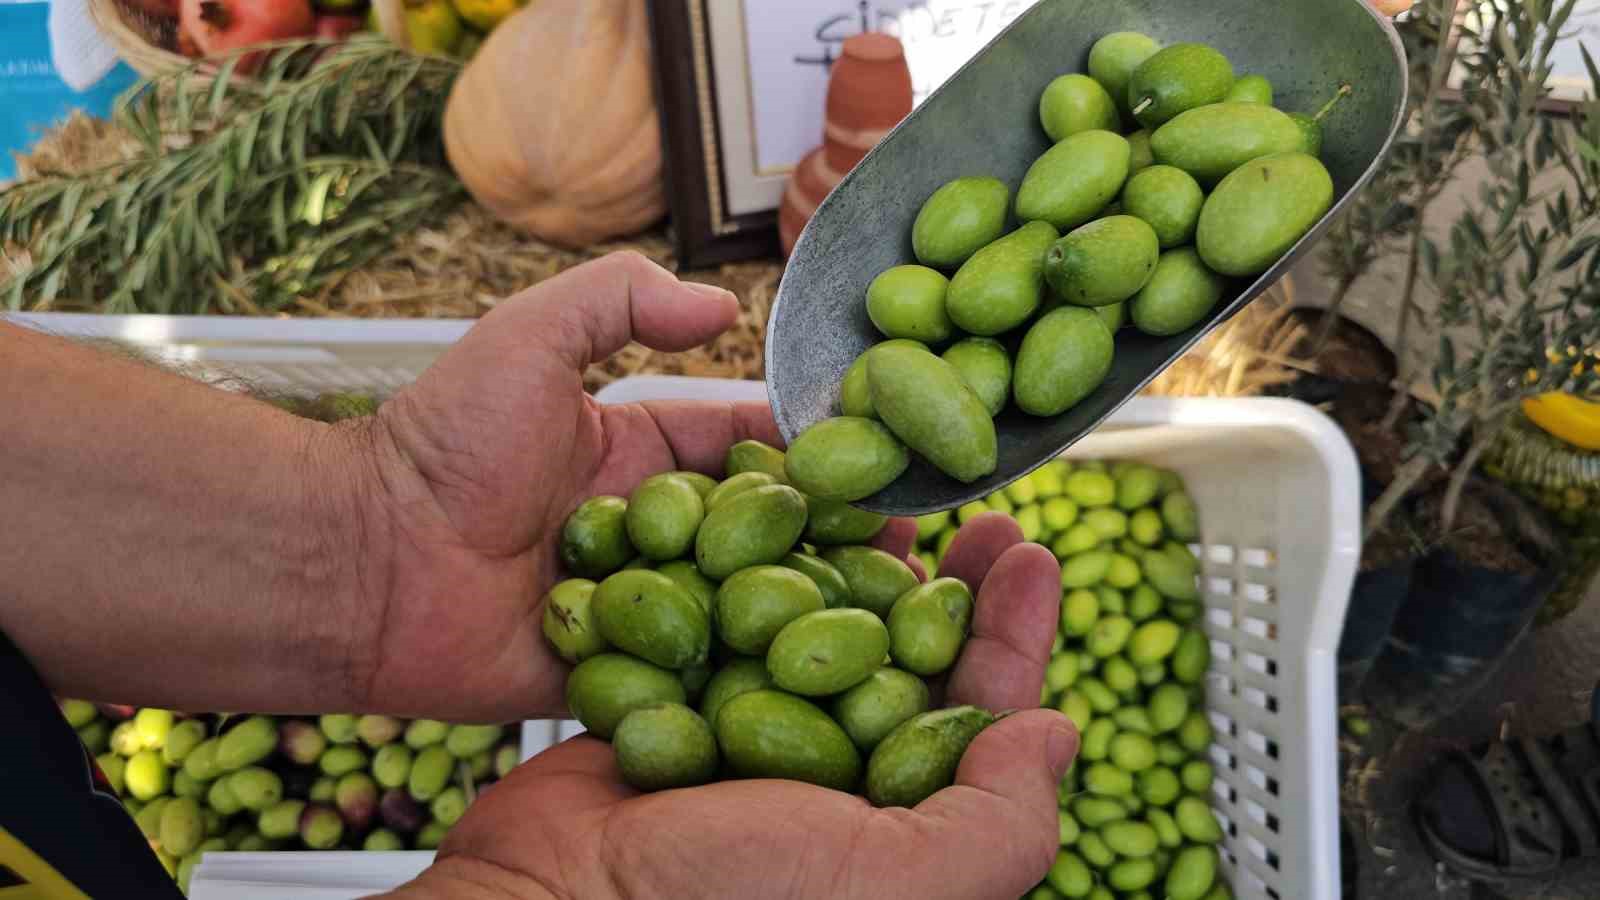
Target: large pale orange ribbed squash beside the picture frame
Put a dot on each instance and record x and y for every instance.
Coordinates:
(554, 129)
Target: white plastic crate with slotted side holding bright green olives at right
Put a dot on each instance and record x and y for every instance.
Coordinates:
(1279, 499)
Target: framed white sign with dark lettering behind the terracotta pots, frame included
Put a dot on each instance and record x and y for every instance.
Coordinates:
(743, 87)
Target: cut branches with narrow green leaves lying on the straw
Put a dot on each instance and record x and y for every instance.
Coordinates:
(249, 193)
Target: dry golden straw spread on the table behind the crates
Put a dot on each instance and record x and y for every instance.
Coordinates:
(463, 265)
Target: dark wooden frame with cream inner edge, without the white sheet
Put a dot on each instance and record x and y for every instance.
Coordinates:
(705, 230)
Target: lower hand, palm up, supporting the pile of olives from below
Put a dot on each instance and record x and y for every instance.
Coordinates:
(566, 826)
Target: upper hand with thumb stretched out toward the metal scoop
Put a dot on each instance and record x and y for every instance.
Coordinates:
(473, 472)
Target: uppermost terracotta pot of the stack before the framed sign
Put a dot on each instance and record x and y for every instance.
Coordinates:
(868, 94)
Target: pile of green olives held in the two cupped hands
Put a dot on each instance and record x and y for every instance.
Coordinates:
(746, 630)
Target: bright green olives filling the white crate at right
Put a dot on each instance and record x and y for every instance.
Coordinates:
(1129, 670)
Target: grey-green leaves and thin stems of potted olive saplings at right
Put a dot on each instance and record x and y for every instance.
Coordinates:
(1518, 271)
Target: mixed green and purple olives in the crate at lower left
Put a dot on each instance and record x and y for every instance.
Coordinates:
(201, 784)
